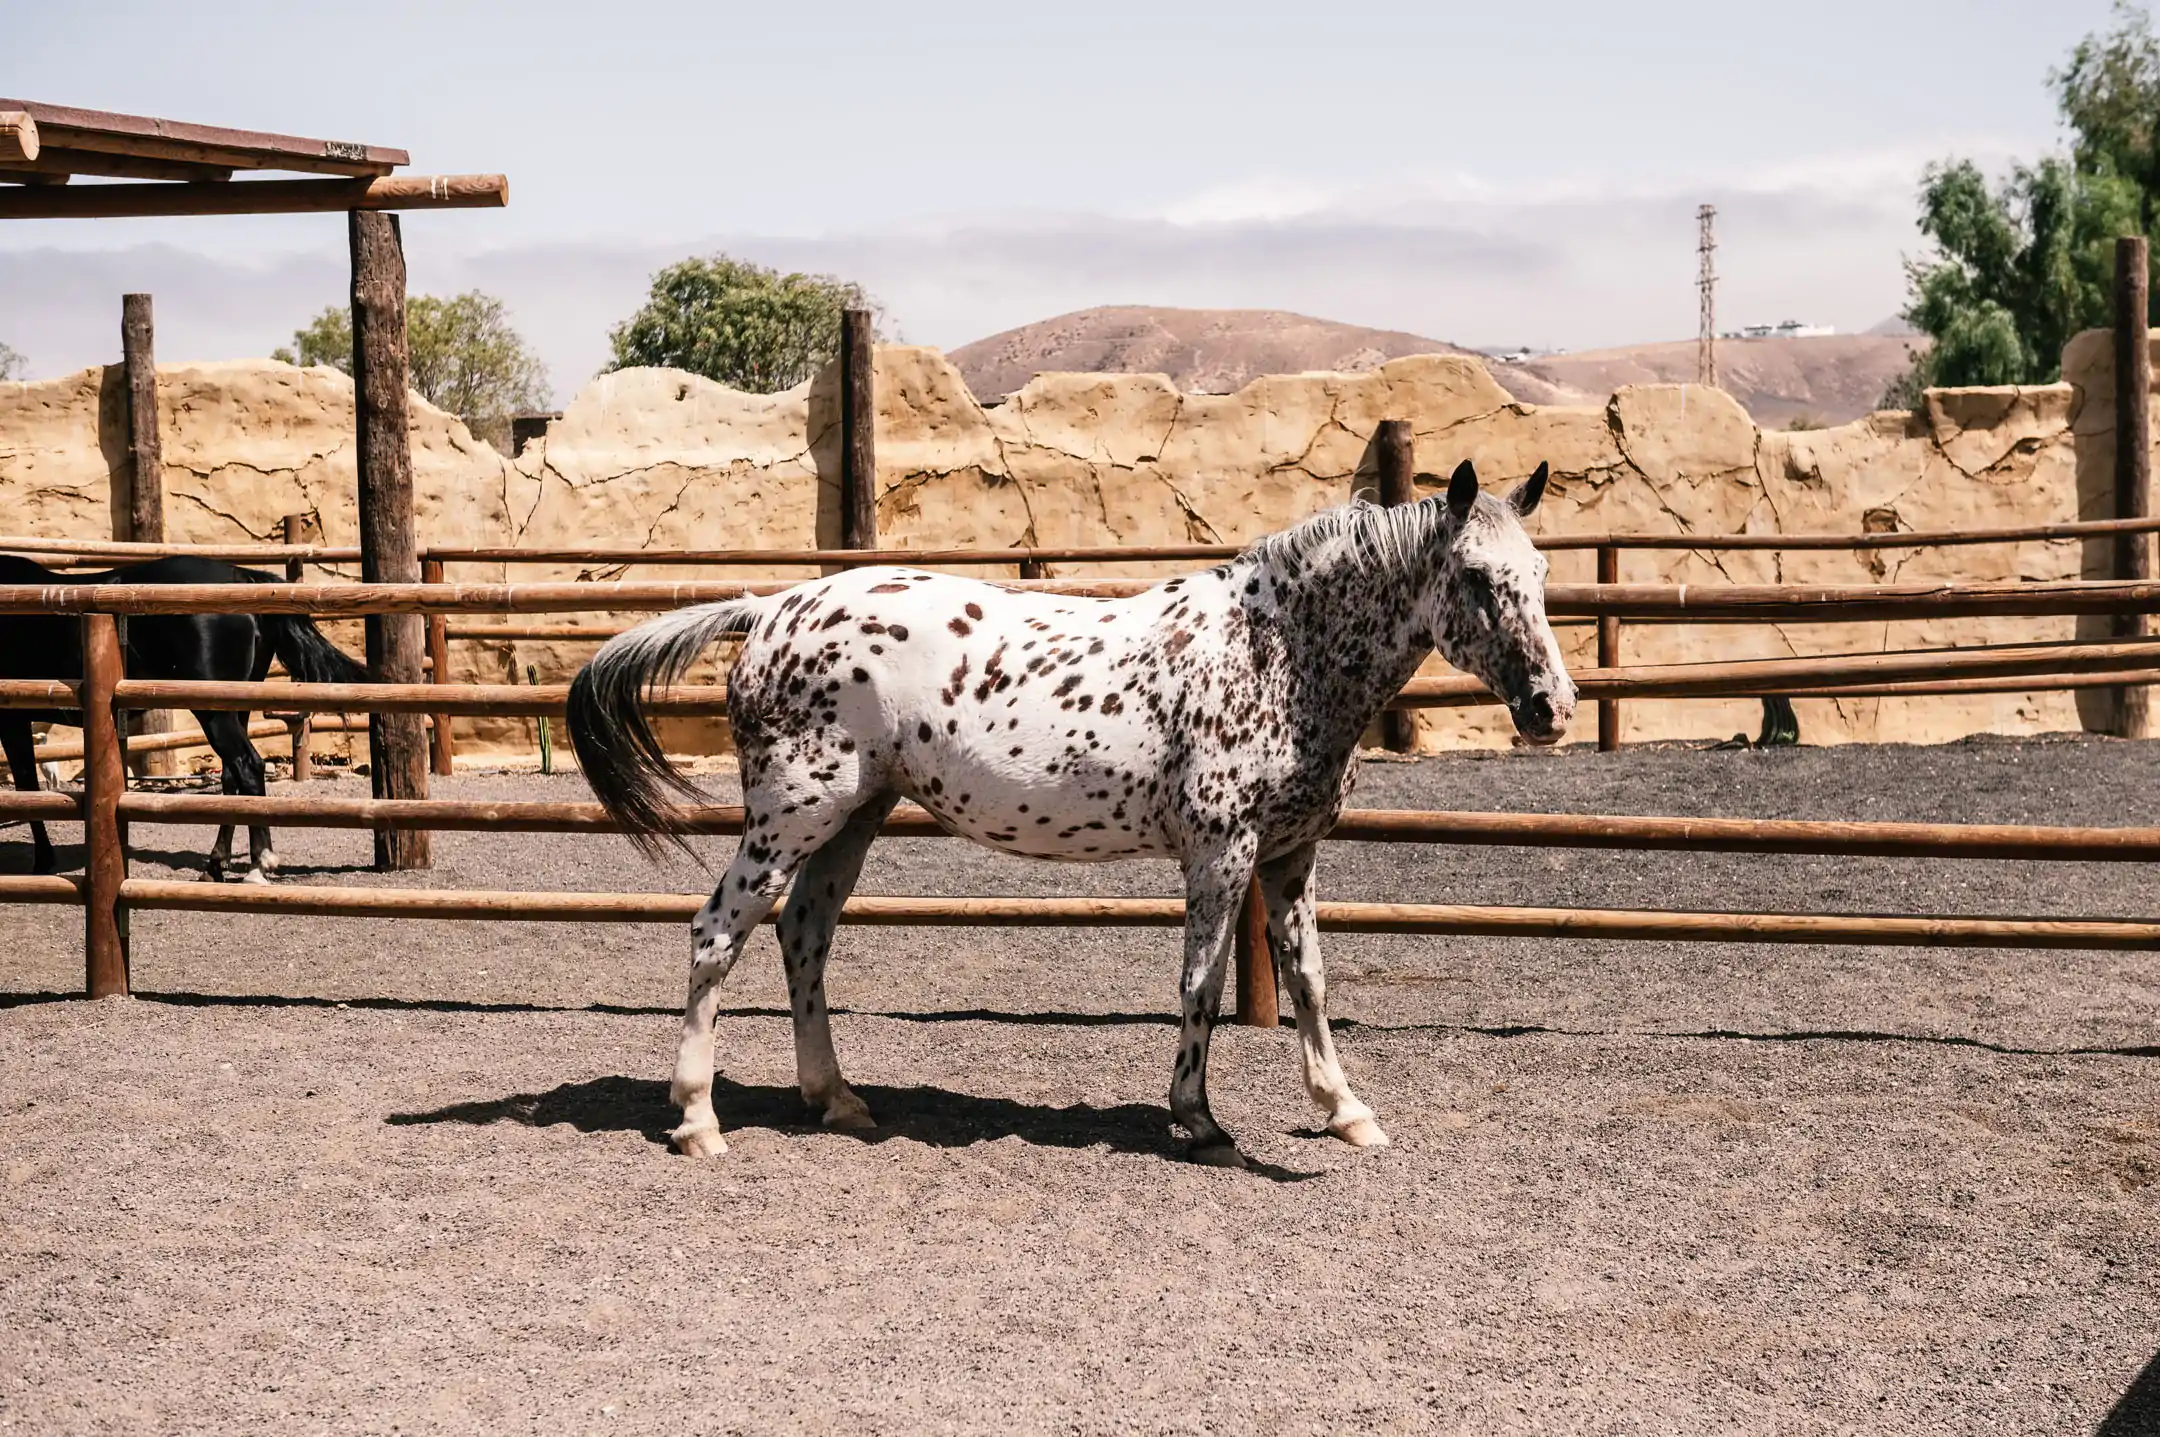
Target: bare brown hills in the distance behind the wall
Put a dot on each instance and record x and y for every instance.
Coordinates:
(1826, 379)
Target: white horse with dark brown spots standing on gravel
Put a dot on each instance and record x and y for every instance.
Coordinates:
(1213, 718)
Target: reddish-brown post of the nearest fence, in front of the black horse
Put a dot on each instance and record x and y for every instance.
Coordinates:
(105, 779)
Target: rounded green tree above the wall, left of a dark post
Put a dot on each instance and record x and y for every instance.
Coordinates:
(738, 323)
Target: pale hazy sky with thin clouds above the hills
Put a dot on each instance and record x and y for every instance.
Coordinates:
(1496, 174)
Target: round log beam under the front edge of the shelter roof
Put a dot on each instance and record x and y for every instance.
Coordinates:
(109, 202)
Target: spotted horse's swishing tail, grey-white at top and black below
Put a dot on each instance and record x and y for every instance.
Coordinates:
(617, 749)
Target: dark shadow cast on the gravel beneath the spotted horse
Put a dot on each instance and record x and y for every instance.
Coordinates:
(932, 1116)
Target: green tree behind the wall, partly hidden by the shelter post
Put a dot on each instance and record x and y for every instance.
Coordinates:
(465, 358)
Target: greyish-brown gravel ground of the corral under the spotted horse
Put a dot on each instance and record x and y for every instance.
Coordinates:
(349, 1177)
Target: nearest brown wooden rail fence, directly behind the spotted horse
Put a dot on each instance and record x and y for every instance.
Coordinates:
(107, 896)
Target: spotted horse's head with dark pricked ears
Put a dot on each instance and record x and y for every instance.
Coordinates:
(1487, 606)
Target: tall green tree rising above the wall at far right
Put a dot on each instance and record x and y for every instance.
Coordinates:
(2025, 265)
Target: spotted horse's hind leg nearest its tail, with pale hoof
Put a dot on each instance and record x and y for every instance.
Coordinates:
(772, 852)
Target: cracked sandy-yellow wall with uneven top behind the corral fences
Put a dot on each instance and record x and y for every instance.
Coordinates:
(662, 459)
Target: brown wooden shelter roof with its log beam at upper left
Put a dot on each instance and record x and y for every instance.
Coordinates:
(191, 170)
